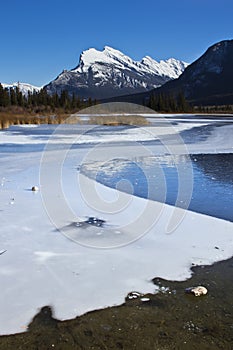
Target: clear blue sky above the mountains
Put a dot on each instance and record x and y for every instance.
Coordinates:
(41, 38)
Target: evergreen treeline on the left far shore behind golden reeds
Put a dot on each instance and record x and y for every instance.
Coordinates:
(41, 101)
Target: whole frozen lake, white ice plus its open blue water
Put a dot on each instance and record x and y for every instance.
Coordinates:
(182, 161)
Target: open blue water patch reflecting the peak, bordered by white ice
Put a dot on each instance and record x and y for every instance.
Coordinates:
(157, 179)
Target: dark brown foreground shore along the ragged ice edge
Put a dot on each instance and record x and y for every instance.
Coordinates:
(169, 320)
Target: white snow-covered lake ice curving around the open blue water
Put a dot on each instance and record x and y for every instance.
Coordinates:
(42, 266)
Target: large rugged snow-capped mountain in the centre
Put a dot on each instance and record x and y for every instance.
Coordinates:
(109, 73)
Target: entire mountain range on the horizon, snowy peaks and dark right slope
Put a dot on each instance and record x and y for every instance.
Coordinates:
(109, 75)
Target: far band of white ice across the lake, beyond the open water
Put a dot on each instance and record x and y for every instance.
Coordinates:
(162, 129)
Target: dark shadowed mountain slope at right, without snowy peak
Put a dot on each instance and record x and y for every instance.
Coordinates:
(208, 80)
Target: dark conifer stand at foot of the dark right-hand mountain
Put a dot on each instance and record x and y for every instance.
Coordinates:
(169, 104)
